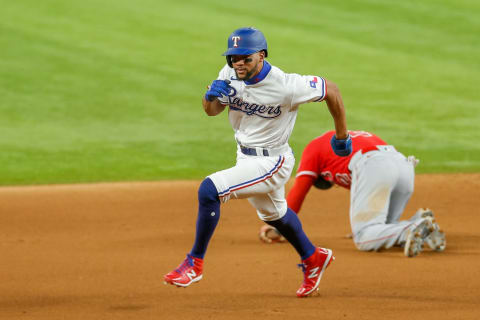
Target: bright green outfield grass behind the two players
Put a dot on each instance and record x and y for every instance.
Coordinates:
(110, 90)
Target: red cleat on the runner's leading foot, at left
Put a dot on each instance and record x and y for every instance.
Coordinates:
(188, 272)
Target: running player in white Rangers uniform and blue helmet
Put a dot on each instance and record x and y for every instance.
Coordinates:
(263, 102)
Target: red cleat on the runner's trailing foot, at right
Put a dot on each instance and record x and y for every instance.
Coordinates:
(313, 268)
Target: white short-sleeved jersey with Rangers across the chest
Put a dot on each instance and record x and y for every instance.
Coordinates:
(263, 110)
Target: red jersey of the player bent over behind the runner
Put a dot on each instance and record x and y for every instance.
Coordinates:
(318, 157)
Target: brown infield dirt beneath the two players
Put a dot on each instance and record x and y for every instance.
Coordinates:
(100, 251)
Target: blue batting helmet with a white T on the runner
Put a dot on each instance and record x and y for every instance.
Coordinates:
(245, 41)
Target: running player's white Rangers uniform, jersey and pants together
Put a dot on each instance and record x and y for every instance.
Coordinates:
(262, 112)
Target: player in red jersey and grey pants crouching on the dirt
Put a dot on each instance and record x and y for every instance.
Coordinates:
(380, 180)
